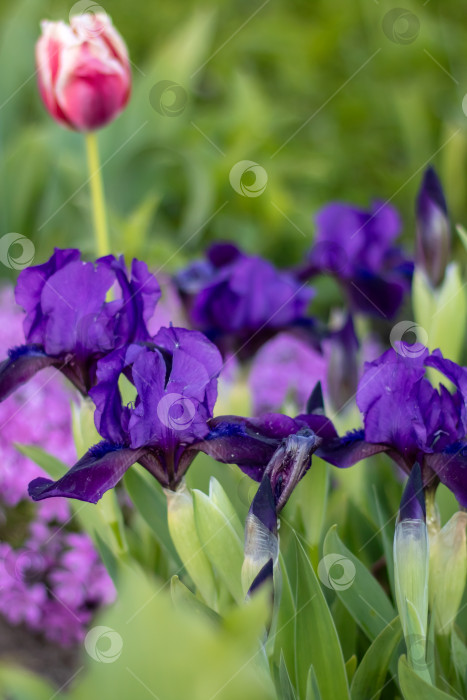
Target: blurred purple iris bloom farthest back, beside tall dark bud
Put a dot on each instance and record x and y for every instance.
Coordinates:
(357, 248)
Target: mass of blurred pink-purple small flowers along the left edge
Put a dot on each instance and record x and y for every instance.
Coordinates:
(55, 580)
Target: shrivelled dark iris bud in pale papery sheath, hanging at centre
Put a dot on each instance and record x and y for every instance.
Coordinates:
(287, 466)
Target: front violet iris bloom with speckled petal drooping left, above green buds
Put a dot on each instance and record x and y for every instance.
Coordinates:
(175, 389)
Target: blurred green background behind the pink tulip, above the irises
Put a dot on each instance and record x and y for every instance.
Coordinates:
(343, 100)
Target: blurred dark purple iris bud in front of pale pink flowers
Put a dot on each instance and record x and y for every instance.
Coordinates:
(342, 375)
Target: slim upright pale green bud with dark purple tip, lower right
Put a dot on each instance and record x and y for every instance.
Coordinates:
(411, 570)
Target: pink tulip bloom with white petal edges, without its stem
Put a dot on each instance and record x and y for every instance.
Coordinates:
(83, 70)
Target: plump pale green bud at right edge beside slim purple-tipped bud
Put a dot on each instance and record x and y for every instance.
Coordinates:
(448, 569)
